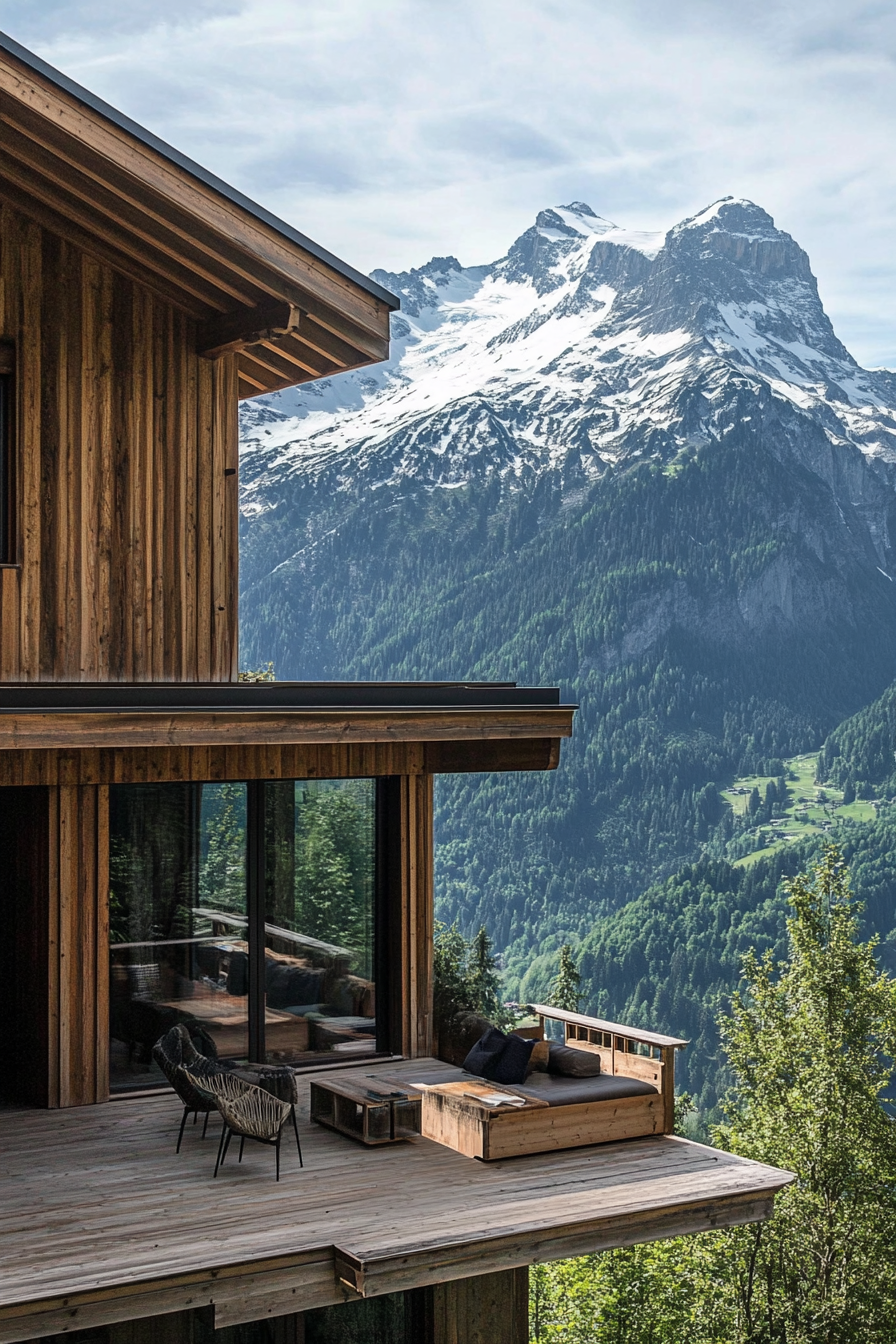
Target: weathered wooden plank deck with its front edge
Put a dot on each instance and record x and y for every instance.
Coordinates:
(101, 1222)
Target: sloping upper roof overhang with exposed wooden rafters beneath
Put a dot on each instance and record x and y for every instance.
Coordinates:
(287, 308)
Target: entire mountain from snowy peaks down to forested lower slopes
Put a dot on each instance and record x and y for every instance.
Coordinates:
(641, 468)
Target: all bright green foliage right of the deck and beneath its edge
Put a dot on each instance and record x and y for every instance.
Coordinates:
(812, 1042)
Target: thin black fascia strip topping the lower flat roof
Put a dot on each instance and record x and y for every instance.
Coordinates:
(269, 697)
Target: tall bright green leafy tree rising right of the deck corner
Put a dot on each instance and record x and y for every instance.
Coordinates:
(812, 1044)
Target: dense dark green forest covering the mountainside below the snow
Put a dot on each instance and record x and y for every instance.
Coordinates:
(611, 851)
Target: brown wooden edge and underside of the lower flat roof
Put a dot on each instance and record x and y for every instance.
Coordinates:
(122, 748)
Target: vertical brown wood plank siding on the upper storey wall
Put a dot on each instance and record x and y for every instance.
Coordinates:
(126, 521)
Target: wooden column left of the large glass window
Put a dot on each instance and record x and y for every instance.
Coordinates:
(79, 936)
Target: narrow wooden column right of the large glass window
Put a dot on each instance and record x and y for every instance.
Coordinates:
(416, 827)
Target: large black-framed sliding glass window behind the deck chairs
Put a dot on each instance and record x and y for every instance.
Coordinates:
(248, 913)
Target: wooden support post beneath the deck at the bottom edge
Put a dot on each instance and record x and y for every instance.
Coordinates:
(487, 1310)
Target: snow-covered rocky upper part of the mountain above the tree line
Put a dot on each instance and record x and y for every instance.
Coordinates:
(585, 347)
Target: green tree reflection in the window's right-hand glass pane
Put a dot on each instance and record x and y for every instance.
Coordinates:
(335, 865)
